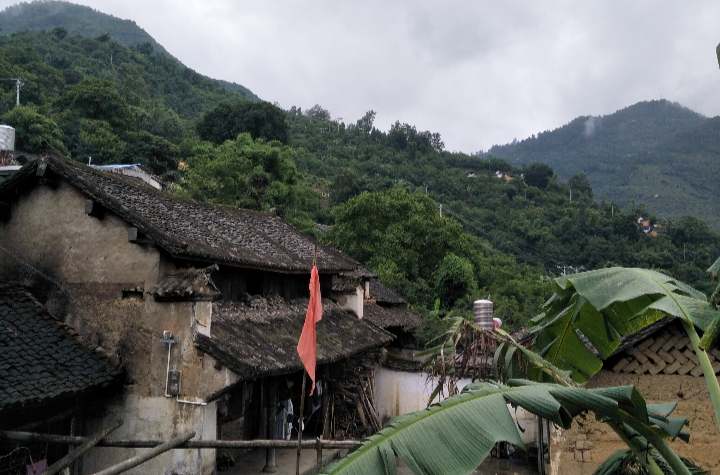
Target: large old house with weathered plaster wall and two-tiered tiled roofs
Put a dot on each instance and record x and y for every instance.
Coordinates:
(202, 304)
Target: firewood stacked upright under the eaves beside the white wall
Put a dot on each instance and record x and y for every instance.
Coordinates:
(354, 411)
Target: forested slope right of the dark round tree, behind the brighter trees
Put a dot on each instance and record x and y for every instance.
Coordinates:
(531, 218)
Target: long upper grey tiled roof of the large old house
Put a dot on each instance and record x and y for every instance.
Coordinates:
(191, 229)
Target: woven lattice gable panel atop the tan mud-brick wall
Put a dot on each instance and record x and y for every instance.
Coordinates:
(669, 352)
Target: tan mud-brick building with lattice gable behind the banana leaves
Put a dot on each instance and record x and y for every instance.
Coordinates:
(659, 361)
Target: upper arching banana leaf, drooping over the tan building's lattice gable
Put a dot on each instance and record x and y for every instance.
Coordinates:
(605, 305)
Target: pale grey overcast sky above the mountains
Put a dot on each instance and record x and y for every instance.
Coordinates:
(478, 72)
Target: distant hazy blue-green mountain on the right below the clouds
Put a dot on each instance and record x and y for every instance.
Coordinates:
(656, 152)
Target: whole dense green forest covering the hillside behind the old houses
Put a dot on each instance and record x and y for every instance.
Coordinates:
(442, 228)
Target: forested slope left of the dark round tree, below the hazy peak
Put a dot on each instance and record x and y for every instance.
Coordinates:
(92, 97)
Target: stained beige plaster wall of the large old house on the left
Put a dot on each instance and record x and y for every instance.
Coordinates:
(105, 298)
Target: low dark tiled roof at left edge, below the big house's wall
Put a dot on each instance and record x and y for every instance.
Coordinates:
(41, 358)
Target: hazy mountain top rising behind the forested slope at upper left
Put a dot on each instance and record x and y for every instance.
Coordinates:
(84, 21)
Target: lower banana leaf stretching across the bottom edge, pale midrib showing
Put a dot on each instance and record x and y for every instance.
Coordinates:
(454, 436)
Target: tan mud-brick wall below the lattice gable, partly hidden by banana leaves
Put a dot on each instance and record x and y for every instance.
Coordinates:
(582, 448)
